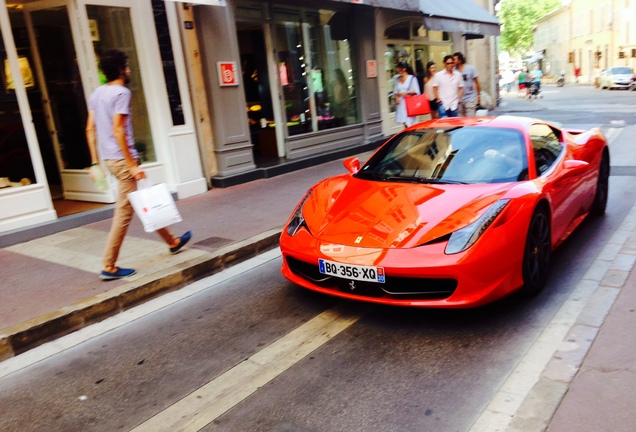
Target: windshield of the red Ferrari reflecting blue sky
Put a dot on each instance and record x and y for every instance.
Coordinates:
(460, 155)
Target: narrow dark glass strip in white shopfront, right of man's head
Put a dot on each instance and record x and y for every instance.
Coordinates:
(167, 59)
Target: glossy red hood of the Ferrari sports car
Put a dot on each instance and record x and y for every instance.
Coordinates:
(353, 212)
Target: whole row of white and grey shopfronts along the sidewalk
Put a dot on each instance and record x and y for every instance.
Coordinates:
(221, 88)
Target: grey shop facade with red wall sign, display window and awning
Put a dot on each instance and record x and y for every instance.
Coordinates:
(315, 77)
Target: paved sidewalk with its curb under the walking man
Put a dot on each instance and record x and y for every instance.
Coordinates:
(50, 285)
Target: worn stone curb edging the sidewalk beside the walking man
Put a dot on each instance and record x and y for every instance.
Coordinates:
(22, 337)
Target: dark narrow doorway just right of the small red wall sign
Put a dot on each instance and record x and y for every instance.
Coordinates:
(258, 94)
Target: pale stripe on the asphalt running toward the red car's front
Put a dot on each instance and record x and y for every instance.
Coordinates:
(209, 402)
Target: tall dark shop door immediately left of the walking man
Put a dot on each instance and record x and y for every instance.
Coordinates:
(61, 113)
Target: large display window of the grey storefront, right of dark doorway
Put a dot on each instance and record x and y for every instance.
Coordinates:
(315, 69)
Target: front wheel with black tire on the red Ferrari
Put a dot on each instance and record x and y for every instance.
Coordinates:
(536, 255)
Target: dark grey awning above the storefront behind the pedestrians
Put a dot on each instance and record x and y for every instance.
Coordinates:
(457, 16)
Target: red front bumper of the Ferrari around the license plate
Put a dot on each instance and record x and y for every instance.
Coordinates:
(422, 276)
